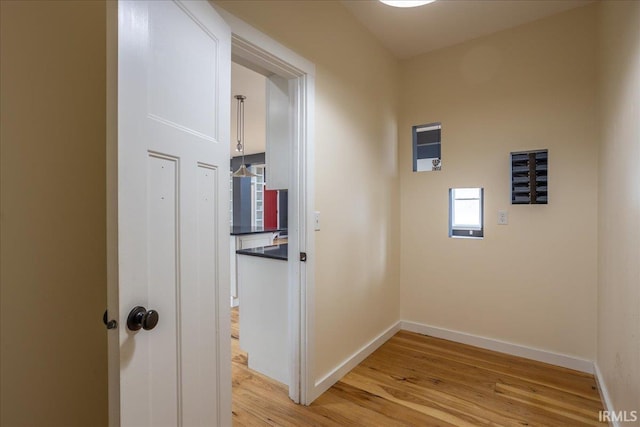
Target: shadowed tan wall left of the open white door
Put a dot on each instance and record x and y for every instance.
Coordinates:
(53, 284)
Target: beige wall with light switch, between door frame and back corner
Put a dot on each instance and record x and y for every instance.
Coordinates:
(355, 161)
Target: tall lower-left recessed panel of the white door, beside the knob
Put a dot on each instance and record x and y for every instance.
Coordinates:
(162, 288)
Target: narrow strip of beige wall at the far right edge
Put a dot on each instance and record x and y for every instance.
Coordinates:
(619, 205)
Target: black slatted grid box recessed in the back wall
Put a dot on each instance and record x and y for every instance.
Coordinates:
(529, 177)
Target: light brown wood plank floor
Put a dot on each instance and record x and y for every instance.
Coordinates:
(416, 380)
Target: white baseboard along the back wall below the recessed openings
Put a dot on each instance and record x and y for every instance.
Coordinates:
(557, 359)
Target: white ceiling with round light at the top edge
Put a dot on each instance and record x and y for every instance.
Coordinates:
(409, 32)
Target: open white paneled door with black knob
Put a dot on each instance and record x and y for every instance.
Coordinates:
(168, 227)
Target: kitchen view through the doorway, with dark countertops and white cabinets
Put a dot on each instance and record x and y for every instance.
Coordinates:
(259, 210)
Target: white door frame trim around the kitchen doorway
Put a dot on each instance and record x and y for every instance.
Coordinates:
(256, 50)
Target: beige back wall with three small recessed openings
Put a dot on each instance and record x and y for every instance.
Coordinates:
(532, 282)
